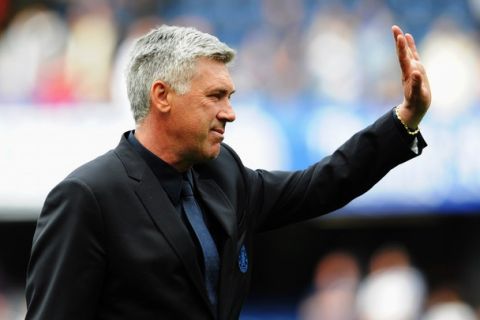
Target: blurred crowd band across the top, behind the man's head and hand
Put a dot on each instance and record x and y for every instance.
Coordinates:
(289, 52)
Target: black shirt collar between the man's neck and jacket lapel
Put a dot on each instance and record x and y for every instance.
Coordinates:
(169, 178)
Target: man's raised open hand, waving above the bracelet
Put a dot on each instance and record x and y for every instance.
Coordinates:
(416, 89)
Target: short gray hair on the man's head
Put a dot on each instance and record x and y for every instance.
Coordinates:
(168, 53)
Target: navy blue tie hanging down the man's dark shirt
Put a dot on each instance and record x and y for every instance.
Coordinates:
(209, 249)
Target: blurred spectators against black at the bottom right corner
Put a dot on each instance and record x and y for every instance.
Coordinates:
(393, 289)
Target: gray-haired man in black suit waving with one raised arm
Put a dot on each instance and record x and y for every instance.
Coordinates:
(161, 227)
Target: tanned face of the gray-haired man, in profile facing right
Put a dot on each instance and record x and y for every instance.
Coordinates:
(198, 118)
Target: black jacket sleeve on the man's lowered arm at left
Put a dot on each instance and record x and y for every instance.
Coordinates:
(67, 262)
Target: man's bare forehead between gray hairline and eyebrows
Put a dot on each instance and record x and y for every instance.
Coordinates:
(211, 74)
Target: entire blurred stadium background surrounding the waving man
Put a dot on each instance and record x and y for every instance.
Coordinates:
(309, 73)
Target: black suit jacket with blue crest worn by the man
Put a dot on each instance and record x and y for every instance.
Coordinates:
(110, 245)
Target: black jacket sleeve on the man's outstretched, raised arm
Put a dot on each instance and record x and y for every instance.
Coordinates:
(281, 198)
